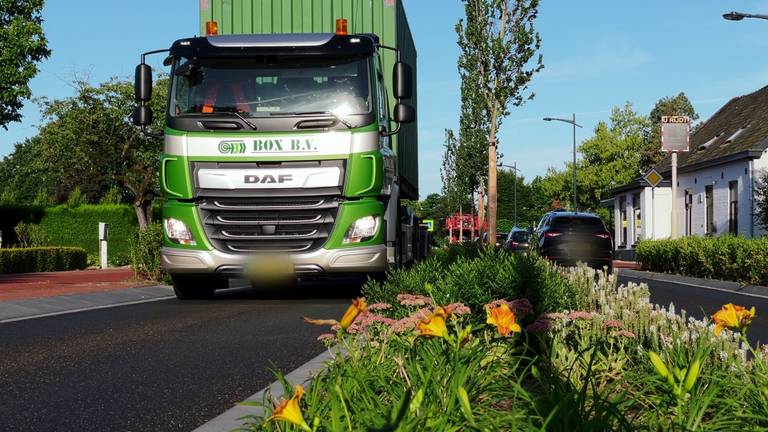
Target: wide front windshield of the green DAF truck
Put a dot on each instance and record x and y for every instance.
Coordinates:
(258, 89)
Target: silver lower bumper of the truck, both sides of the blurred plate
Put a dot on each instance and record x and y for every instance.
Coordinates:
(322, 261)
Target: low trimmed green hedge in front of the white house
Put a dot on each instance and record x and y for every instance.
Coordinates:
(726, 257)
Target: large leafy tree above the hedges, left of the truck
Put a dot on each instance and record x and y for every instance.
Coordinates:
(88, 142)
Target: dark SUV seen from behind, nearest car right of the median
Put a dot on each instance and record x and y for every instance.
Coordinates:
(571, 237)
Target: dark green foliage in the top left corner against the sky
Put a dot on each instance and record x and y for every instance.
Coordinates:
(22, 47)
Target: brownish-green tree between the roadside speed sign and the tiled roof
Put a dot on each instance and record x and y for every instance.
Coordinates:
(651, 153)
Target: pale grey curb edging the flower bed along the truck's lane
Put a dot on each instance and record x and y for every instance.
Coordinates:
(304, 374)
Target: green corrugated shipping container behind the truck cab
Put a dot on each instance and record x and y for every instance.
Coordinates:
(385, 18)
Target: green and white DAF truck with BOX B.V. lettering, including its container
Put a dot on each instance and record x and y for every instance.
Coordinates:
(290, 142)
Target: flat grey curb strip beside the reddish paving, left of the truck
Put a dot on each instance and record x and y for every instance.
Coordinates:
(19, 310)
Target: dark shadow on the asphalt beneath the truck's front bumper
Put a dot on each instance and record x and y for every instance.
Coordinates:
(336, 288)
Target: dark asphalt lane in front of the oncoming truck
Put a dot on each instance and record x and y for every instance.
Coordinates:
(161, 366)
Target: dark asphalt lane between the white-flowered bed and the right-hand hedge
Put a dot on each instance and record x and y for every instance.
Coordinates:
(700, 302)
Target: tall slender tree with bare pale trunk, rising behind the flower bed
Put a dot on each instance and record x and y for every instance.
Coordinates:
(498, 45)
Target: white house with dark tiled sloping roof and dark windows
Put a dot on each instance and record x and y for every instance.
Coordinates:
(715, 181)
